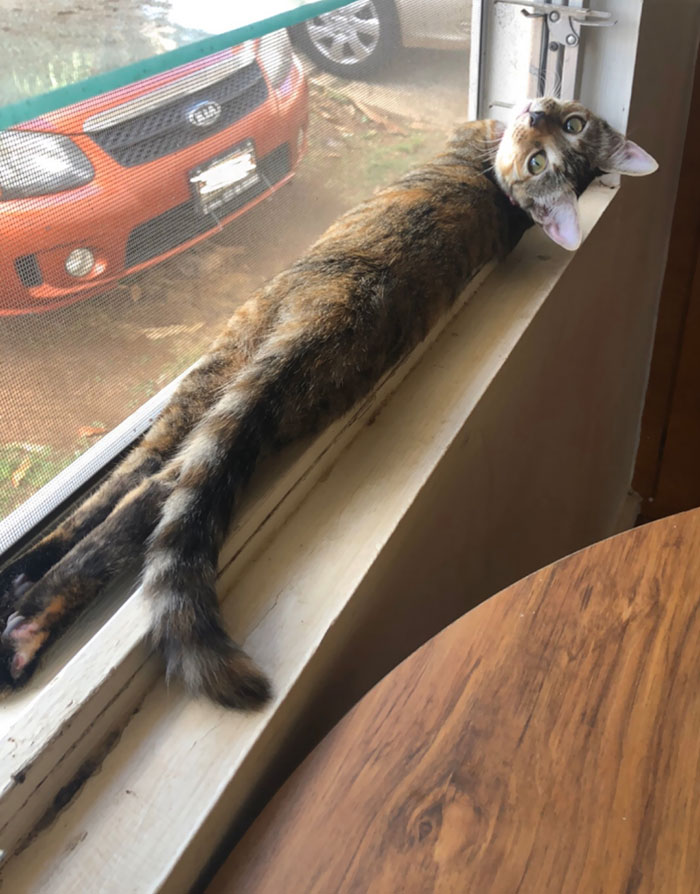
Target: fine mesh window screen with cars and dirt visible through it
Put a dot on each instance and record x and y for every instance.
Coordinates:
(134, 222)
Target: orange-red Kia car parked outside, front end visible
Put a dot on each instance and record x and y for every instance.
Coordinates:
(116, 183)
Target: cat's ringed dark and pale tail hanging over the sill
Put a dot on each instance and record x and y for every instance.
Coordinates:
(217, 460)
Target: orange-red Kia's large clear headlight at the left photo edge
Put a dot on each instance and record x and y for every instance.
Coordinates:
(37, 164)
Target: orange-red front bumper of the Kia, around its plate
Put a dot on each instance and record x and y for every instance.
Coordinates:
(132, 218)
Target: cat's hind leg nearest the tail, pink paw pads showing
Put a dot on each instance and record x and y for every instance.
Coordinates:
(43, 609)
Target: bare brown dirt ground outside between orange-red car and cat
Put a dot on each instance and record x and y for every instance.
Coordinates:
(70, 375)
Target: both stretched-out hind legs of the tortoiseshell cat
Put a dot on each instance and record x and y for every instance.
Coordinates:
(80, 548)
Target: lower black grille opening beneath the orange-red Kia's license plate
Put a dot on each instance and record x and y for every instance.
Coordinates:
(184, 222)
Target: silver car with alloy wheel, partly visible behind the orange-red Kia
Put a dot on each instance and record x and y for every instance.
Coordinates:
(356, 39)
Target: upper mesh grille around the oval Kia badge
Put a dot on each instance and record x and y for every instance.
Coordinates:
(166, 129)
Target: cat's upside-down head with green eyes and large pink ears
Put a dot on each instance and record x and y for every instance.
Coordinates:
(550, 153)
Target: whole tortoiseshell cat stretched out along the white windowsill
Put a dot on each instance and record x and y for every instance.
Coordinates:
(302, 350)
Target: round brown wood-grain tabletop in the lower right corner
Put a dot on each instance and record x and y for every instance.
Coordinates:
(548, 741)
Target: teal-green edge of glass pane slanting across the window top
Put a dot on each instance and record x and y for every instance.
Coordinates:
(34, 106)
